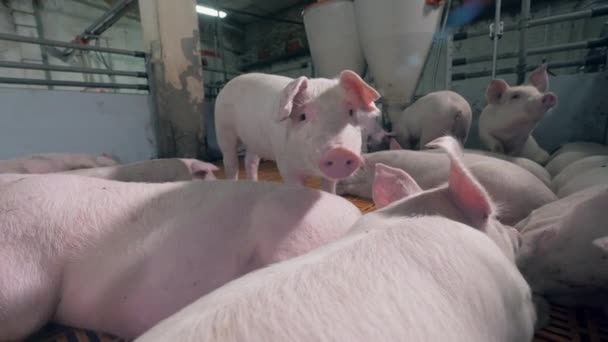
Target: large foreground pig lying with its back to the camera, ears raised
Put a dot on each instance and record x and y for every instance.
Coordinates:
(397, 276)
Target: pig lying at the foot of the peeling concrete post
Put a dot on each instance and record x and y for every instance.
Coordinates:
(153, 171)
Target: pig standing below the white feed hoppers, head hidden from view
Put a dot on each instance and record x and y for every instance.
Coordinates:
(432, 116)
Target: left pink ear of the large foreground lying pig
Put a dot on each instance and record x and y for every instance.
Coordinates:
(391, 184)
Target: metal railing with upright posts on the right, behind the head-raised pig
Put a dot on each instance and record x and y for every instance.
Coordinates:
(523, 52)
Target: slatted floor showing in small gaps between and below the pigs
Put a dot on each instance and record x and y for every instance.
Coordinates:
(582, 325)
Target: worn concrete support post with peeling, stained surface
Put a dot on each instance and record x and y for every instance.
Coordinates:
(171, 36)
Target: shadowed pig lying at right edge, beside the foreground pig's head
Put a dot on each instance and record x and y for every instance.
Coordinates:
(565, 248)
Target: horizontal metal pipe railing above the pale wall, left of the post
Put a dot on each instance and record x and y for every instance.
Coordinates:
(72, 69)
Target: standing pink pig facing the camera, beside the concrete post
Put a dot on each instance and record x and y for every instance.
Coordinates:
(308, 126)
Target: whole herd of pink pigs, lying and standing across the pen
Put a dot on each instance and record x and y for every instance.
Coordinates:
(465, 245)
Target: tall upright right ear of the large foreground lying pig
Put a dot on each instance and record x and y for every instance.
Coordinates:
(467, 193)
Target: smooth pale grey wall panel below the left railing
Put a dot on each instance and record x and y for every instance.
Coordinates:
(36, 121)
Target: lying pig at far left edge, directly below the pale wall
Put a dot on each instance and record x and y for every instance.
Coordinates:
(54, 162)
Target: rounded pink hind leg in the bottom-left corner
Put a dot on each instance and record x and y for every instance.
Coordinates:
(27, 298)
